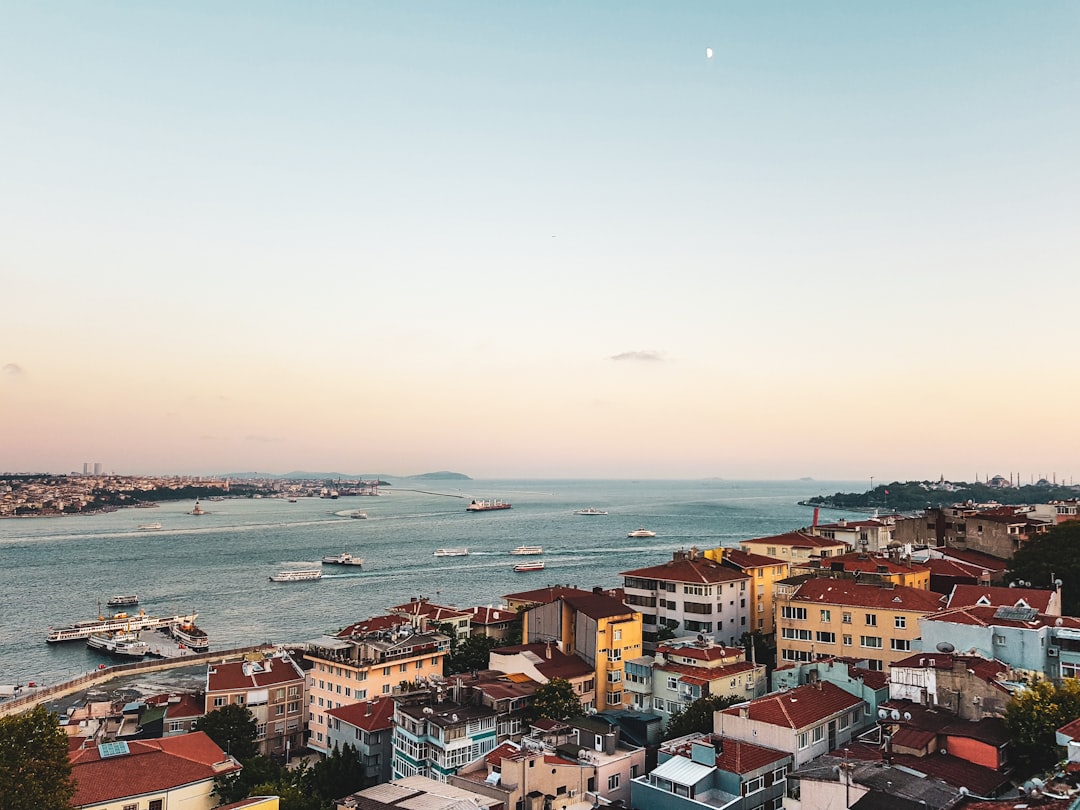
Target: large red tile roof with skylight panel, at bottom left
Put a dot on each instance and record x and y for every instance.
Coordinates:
(152, 766)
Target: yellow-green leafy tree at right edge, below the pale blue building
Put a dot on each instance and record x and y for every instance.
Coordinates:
(1033, 719)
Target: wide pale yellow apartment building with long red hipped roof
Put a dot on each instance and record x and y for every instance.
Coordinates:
(822, 618)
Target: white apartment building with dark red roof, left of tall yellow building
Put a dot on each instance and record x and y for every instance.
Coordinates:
(690, 595)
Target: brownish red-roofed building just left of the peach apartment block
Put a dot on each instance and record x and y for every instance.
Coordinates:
(273, 688)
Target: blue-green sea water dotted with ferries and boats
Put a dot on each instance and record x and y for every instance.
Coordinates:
(59, 571)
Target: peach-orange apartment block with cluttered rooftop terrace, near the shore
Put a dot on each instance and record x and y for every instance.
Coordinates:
(362, 663)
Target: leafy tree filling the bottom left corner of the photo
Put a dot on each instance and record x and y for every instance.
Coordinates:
(35, 768)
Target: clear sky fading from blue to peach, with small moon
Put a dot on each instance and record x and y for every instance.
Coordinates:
(542, 240)
